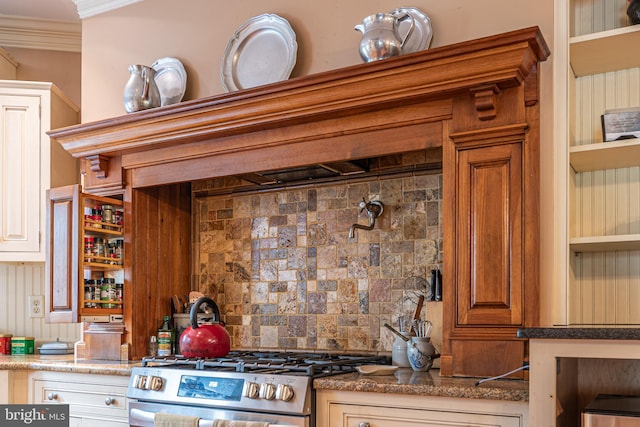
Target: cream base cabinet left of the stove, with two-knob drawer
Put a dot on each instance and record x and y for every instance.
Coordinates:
(93, 399)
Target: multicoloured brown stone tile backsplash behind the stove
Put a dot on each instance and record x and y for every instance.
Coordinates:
(285, 274)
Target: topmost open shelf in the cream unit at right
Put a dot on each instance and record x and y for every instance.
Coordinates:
(605, 51)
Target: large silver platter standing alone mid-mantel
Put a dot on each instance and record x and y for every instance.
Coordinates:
(263, 50)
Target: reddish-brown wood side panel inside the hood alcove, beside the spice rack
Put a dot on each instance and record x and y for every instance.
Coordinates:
(157, 258)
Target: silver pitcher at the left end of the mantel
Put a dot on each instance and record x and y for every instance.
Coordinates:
(141, 91)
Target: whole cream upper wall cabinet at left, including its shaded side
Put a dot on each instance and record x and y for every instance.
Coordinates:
(30, 163)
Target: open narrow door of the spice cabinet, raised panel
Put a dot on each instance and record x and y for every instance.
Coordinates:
(61, 268)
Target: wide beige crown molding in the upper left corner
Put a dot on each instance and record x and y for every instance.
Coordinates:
(34, 33)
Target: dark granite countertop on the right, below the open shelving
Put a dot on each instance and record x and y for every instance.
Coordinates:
(580, 332)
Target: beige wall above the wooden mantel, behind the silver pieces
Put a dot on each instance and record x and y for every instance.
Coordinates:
(197, 32)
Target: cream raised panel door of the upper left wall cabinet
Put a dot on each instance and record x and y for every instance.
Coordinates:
(19, 174)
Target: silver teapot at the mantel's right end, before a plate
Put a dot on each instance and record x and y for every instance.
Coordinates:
(380, 36)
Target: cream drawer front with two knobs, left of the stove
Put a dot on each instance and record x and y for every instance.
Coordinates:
(84, 398)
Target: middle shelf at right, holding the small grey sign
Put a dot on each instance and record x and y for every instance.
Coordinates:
(606, 155)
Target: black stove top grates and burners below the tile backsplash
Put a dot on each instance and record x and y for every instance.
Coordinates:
(272, 362)
